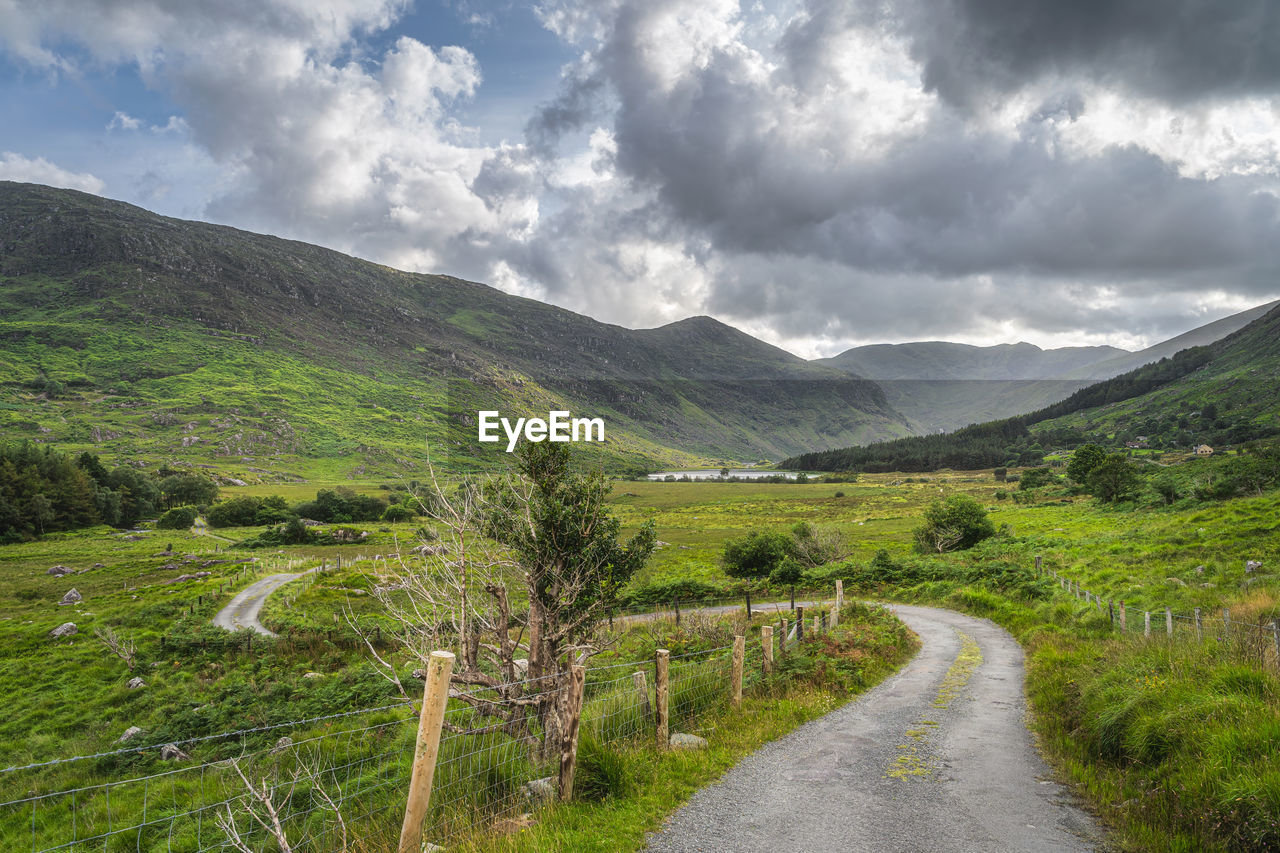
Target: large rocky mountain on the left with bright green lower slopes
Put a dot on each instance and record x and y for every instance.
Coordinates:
(136, 335)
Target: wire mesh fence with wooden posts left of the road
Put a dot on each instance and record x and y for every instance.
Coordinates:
(339, 782)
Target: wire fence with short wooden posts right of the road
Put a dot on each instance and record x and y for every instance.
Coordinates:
(1252, 642)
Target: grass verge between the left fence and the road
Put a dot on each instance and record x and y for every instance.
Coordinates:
(627, 791)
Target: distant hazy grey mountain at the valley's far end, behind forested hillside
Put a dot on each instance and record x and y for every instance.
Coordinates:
(943, 386)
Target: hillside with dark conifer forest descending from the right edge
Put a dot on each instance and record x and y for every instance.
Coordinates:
(1220, 395)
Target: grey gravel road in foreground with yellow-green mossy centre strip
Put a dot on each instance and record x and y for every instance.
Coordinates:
(938, 758)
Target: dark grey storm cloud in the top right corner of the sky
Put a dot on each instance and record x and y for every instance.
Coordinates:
(1174, 51)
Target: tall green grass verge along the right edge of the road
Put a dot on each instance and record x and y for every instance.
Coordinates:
(1173, 742)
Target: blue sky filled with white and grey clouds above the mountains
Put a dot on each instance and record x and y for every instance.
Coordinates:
(820, 174)
